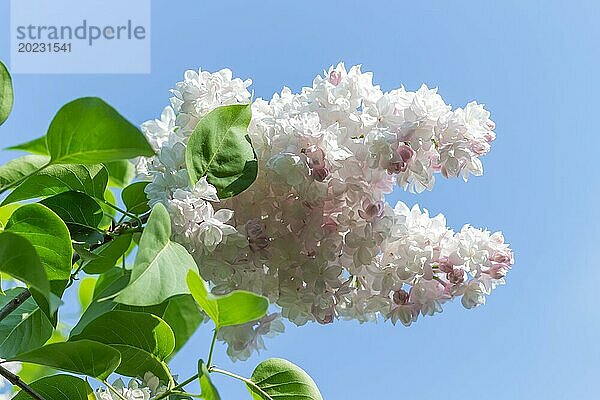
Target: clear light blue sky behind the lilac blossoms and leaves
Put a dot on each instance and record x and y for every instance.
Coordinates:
(535, 66)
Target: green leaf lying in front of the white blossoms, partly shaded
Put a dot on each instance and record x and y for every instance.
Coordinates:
(220, 148)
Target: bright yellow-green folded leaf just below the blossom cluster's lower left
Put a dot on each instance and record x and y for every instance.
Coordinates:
(236, 308)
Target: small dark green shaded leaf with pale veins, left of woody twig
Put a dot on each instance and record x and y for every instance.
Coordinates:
(80, 212)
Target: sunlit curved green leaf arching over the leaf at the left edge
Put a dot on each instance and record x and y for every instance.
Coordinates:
(49, 236)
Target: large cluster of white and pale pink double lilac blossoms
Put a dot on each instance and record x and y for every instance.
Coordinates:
(314, 233)
